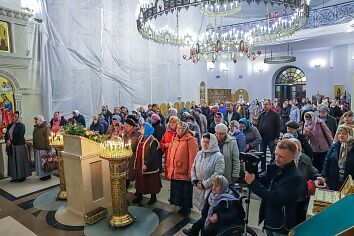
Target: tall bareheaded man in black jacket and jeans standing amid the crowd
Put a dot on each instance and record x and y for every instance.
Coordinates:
(269, 128)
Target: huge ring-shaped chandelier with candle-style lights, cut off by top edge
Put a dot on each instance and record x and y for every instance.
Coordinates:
(226, 42)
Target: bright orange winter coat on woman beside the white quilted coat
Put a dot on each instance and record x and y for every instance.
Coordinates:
(182, 152)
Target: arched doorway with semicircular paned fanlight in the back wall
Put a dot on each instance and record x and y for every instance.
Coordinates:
(290, 82)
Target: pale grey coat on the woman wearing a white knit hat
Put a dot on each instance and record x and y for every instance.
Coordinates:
(231, 155)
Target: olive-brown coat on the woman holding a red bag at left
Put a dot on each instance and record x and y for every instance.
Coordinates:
(41, 136)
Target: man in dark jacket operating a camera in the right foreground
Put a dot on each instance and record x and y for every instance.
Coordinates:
(282, 189)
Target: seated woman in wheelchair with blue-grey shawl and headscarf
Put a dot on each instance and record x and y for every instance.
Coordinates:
(222, 209)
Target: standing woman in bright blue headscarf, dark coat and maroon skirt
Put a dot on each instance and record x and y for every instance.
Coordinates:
(147, 166)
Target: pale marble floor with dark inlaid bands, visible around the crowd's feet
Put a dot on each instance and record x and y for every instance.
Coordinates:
(19, 216)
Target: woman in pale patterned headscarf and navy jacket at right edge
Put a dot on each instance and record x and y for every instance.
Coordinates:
(339, 162)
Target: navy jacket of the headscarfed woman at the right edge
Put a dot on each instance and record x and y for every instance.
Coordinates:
(330, 167)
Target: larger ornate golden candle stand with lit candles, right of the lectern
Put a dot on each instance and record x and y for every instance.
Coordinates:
(117, 154)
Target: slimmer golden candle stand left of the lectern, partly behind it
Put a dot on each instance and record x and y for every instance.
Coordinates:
(56, 141)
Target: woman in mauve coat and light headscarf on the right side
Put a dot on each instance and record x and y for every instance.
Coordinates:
(320, 138)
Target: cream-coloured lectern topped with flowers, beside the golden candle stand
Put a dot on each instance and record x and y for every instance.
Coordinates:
(86, 174)
